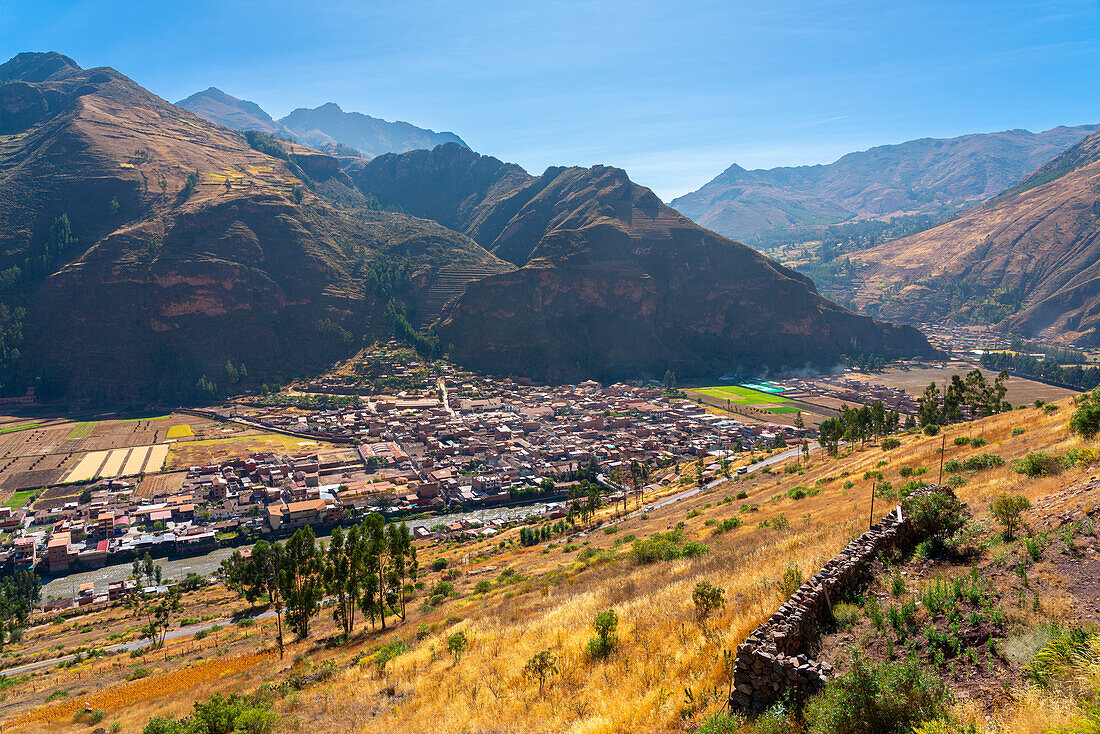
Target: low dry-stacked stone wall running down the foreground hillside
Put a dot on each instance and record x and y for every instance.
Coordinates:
(773, 659)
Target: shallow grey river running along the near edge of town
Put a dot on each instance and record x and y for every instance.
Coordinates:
(178, 568)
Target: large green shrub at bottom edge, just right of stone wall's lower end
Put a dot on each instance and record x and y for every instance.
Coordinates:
(890, 698)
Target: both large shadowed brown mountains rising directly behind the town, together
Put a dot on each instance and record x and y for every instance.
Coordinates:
(142, 248)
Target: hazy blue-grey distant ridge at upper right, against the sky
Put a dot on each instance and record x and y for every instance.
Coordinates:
(920, 177)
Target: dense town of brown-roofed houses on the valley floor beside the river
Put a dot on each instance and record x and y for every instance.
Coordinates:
(459, 445)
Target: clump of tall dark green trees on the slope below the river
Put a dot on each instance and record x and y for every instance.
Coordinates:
(368, 569)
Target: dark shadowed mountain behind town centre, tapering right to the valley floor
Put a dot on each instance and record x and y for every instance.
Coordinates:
(613, 282)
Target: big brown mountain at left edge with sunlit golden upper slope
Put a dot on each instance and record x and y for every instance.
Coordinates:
(142, 247)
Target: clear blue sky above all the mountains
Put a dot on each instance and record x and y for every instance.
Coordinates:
(673, 92)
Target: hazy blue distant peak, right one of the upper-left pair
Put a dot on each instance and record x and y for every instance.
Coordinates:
(328, 125)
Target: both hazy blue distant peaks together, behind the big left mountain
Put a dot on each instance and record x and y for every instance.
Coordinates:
(326, 128)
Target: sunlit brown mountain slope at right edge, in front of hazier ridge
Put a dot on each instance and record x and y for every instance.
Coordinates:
(1028, 259)
